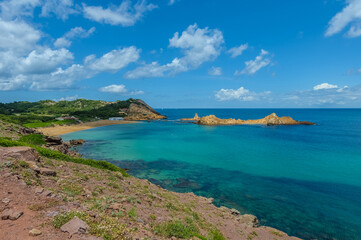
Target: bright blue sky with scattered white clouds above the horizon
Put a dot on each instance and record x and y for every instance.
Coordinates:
(183, 53)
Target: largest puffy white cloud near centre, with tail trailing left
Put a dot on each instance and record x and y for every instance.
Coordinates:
(198, 45)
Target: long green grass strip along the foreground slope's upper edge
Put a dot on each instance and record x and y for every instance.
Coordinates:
(63, 157)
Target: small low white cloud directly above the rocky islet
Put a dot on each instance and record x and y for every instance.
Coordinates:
(240, 94)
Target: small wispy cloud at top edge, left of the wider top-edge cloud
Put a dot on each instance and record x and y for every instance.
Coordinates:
(60, 8)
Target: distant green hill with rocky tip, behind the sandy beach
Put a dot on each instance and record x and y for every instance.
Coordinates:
(46, 113)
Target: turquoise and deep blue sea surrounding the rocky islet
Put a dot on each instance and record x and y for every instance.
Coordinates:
(304, 180)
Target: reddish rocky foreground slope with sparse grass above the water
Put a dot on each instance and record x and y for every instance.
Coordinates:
(48, 195)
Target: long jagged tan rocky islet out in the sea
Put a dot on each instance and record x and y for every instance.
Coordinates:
(269, 120)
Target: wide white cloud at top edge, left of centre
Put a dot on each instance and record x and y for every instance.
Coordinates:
(125, 14)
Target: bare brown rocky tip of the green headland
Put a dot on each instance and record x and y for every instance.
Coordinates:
(139, 110)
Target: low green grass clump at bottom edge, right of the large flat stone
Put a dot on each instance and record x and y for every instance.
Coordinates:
(176, 229)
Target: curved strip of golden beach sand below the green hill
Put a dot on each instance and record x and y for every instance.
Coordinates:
(60, 130)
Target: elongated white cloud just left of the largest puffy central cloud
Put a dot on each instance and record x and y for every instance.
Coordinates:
(113, 60)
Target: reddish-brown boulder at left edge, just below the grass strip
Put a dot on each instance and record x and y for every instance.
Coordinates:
(19, 153)
